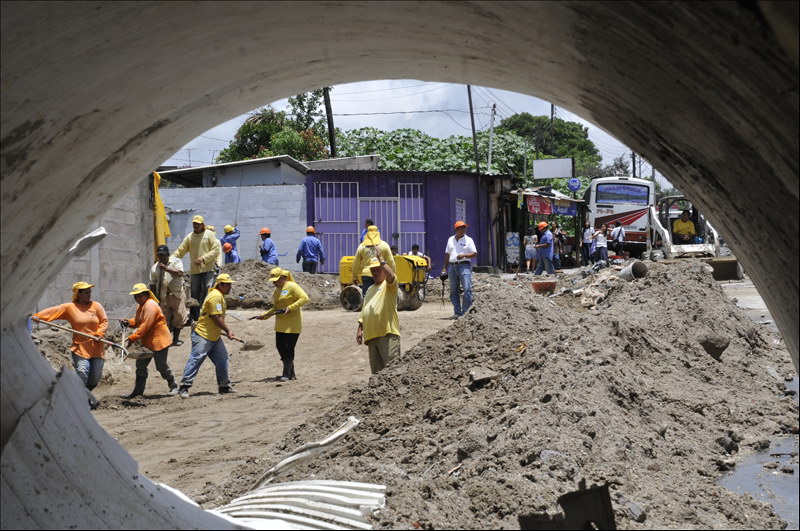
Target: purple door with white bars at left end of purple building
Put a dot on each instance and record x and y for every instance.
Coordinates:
(336, 213)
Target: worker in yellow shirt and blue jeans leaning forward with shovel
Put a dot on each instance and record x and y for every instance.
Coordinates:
(207, 340)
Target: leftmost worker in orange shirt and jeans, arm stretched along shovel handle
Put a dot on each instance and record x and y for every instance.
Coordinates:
(87, 316)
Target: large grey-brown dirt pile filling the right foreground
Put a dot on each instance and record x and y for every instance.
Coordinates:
(516, 402)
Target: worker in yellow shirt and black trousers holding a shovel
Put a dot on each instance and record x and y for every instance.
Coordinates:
(286, 303)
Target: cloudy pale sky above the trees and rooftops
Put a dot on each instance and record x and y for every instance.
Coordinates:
(394, 104)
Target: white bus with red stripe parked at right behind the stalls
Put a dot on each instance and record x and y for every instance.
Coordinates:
(624, 199)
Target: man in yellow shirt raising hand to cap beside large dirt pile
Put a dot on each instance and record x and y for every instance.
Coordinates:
(379, 326)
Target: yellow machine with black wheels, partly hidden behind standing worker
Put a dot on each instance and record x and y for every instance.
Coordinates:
(412, 277)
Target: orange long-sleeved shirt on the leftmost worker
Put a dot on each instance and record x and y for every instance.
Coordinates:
(87, 318)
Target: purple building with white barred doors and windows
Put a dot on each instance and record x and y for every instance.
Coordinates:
(407, 206)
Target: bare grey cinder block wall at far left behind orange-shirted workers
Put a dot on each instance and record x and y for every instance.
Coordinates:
(115, 264)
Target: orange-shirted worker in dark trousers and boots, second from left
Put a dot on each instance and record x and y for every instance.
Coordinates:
(152, 331)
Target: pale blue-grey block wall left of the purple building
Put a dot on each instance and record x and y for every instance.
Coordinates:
(281, 208)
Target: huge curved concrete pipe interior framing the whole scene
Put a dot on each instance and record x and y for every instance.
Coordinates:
(95, 95)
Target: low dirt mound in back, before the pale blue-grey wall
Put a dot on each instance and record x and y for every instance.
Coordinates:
(252, 288)
